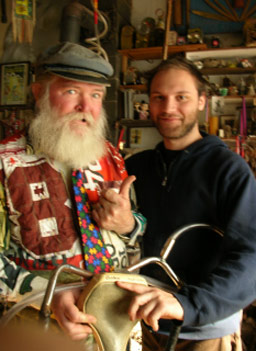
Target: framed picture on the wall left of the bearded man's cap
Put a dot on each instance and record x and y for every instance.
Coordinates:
(14, 83)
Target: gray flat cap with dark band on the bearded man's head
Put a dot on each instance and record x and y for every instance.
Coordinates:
(75, 62)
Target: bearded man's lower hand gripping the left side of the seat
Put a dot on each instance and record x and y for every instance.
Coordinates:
(70, 319)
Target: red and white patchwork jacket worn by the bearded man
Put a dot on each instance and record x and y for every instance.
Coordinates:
(43, 233)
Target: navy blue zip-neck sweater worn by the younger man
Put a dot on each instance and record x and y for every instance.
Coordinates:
(206, 183)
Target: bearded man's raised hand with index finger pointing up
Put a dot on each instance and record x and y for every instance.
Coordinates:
(113, 211)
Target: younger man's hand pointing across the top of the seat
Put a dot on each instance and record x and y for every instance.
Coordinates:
(152, 304)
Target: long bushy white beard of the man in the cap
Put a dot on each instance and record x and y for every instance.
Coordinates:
(52, 136)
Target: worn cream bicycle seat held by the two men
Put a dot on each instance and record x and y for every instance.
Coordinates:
(109, 304)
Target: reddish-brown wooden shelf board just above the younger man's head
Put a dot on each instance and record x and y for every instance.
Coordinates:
(157, 52)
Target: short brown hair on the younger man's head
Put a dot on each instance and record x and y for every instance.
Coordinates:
(178, 62)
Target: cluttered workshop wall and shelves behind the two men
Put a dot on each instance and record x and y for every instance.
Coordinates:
(134, 40)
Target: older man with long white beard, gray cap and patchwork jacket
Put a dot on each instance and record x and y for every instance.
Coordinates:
(68, 144)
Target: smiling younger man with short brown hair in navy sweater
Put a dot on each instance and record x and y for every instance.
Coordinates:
(192, 177)
